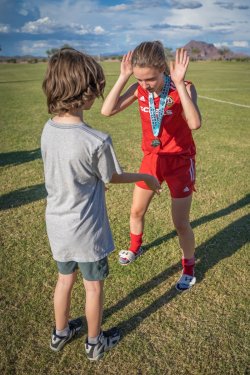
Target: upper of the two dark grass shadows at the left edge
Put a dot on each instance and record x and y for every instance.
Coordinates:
(19, 157)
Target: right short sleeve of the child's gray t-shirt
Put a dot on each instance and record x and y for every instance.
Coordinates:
(106, 163)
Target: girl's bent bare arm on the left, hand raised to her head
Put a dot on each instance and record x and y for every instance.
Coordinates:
(115, 102)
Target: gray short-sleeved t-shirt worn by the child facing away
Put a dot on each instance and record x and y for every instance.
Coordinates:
(78, 161)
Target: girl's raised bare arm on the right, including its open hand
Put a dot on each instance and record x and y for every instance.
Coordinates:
(188, 95)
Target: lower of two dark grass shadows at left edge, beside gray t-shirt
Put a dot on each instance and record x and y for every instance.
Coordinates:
(22, 196)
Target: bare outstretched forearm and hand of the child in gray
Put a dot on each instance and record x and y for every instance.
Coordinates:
(124, 178)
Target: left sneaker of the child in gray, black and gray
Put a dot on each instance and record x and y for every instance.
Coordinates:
(58, 342)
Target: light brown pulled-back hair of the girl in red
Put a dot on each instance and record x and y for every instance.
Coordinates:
(150, 54)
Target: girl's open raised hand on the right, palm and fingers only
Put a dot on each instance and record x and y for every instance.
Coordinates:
(179, 67)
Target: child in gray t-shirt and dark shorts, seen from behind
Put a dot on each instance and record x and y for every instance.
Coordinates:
(78, 161)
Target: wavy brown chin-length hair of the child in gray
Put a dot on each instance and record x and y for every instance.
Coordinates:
(72, 78)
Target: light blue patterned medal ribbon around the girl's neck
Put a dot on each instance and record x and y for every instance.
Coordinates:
(156, 118)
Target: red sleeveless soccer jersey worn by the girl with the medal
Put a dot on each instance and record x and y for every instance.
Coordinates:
(175, 135)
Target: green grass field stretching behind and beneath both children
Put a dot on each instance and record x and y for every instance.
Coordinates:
(201, 332)
